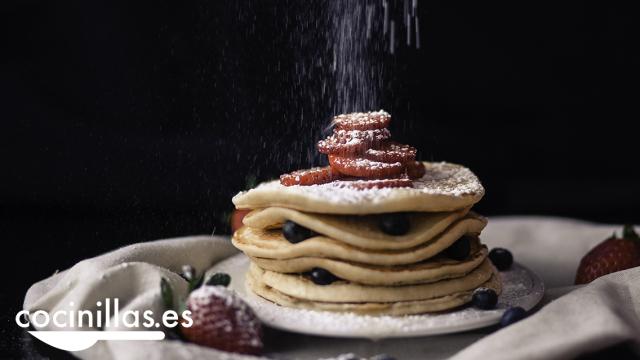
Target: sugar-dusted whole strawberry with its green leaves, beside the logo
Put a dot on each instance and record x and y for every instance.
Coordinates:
(218, 317)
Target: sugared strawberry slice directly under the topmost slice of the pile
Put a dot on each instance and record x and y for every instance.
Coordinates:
(353, 142)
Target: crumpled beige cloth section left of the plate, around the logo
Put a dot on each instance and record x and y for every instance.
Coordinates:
(132, 274)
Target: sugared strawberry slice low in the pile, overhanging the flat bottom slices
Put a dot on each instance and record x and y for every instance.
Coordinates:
(364, 167)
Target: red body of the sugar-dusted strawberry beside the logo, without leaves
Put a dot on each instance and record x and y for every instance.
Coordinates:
(223, 321)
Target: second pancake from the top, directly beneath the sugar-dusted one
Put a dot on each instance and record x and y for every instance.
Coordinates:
(359, 231)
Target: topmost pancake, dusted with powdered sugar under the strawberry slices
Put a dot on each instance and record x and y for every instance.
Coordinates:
(444, 187)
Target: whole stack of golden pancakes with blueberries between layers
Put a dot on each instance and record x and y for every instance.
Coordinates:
(377, 273)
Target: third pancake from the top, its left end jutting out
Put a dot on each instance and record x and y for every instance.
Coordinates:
(271, 244)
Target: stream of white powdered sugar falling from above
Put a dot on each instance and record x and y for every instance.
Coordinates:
(361, 33)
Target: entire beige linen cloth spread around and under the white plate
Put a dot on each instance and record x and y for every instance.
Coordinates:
(573, 322)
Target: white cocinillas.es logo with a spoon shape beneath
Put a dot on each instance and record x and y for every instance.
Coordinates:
(75, 330)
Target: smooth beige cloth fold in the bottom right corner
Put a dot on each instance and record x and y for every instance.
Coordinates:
(601, 314)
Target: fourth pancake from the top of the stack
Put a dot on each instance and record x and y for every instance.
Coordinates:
(432, 270)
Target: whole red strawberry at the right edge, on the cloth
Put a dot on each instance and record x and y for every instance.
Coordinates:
(613, 254)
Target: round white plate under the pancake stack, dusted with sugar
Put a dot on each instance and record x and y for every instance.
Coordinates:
(521, 287)
